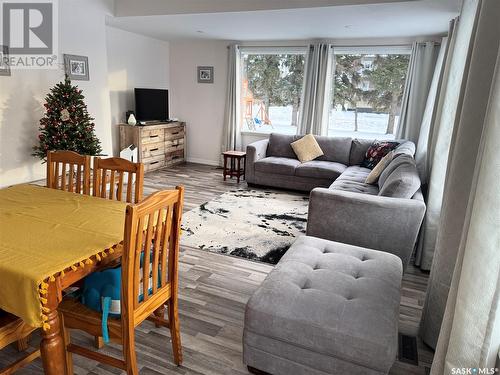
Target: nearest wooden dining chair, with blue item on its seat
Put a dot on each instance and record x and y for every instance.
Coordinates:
(150, 247)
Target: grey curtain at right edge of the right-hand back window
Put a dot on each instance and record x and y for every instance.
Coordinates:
(418, 81)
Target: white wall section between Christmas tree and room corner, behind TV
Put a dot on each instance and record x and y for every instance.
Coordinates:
(133, 61)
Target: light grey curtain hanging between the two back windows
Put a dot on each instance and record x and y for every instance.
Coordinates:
(317, 90)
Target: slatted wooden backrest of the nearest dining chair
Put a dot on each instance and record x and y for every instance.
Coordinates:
(150, 248)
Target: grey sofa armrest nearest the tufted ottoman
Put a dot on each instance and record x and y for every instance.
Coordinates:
(371, 221)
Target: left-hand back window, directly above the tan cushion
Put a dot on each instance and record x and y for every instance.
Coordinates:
(271, 82)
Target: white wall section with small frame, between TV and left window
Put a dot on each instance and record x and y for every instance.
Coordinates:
(201, 105)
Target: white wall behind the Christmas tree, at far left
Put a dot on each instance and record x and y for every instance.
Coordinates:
(81, 32)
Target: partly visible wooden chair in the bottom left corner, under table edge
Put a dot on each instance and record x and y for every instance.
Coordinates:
(13, 329)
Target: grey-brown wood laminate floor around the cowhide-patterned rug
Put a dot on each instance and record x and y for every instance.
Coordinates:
(213, 292)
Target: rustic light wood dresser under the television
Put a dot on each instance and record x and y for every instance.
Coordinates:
(159, 145)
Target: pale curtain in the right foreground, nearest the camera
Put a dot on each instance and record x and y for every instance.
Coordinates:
(470, 333)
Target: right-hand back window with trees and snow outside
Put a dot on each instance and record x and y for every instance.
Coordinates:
(367, 93)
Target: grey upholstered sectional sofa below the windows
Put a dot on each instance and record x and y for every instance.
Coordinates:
(342, 207)
